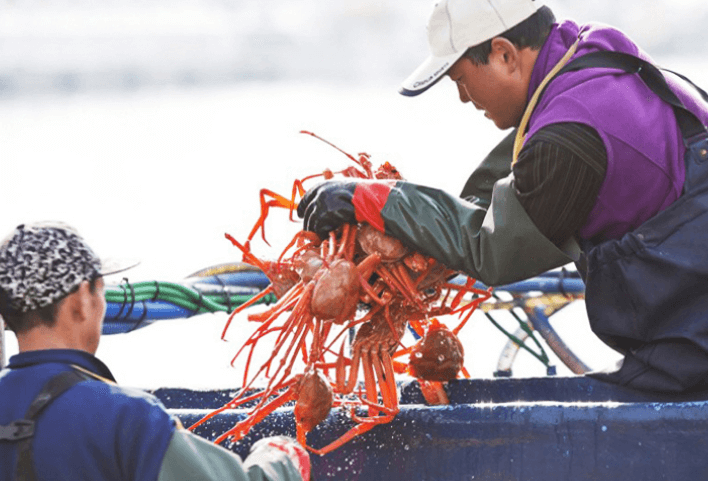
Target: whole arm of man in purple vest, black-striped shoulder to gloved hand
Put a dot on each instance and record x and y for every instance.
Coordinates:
(494, 238)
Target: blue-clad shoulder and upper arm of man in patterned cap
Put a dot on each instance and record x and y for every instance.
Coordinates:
(103, 426)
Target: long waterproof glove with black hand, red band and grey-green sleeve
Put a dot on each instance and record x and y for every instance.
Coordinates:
(496, 243)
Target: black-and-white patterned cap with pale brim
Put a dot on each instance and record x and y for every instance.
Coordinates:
(43, 262)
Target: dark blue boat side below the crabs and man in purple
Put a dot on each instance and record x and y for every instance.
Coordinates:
(503, 429)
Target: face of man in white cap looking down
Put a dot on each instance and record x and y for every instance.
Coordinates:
(492, 87)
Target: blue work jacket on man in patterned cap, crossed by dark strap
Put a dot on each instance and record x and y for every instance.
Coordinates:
(95, 431)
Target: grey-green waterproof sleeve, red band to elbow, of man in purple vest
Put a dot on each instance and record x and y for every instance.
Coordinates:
(498, 245)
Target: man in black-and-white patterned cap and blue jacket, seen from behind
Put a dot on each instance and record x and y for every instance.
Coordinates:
(62, 417)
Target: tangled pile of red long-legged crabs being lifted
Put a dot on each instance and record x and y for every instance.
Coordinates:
(357, 279)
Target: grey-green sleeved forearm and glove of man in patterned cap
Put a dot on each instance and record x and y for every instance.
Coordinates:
(191, 458)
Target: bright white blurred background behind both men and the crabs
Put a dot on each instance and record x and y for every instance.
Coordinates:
(151, 126)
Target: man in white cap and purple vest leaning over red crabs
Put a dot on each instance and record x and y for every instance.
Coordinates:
(605, 167)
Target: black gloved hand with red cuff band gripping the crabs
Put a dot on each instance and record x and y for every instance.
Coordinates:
(327, 206)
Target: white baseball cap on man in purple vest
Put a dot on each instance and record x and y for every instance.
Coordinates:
(455, 26)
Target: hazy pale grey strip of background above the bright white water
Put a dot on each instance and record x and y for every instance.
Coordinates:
(69, 46)
